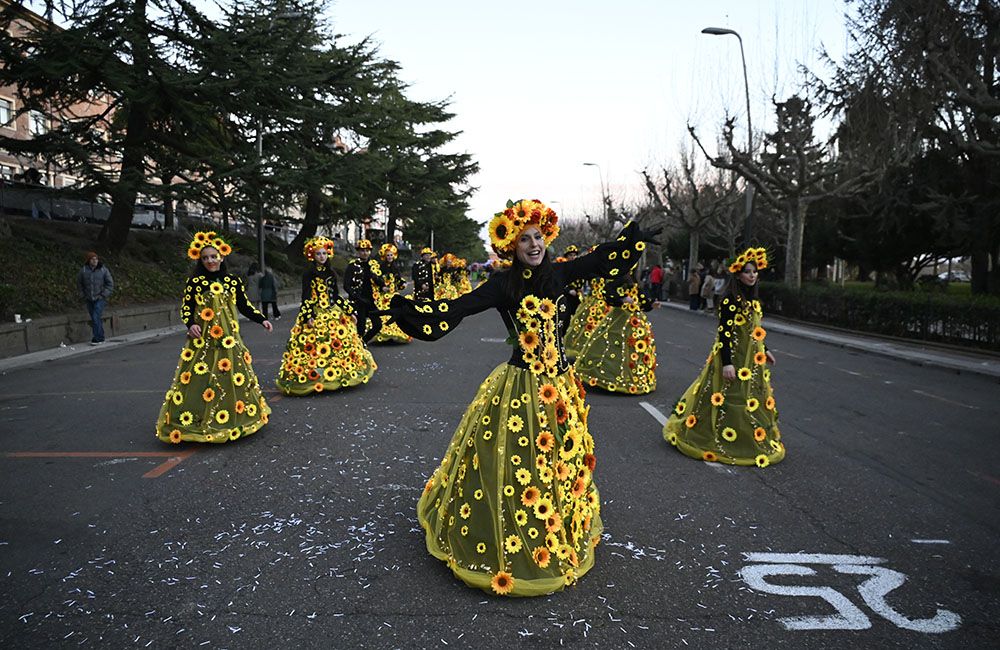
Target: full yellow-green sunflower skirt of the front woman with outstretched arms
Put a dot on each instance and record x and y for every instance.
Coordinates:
(512, 508)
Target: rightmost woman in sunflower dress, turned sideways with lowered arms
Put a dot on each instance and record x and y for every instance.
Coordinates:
(728, 414)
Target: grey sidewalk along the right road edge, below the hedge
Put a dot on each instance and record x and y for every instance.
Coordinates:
(915, 352)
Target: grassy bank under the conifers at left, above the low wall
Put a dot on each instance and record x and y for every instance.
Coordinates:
(42, 259)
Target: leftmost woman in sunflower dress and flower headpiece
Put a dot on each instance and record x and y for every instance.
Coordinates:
(215, 395)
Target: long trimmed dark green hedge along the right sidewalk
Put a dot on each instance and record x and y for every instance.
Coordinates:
(967, 321)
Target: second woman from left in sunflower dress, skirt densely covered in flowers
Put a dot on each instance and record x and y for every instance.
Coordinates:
(324, 350)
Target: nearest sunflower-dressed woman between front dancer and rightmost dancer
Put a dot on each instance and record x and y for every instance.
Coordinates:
(619, 355)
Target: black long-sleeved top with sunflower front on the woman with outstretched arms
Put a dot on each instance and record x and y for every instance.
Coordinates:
(536, 323)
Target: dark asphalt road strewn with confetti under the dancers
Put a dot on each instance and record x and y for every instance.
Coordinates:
(880, 528)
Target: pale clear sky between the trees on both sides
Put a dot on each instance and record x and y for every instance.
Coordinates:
(541, 87)
